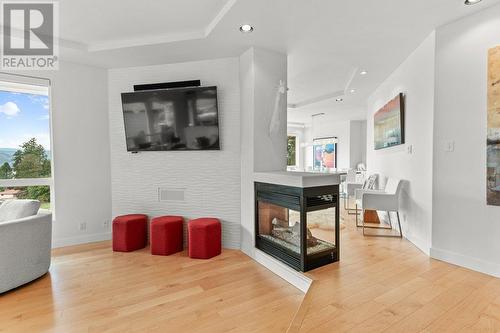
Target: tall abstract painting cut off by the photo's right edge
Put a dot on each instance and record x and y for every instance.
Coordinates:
(493, 136)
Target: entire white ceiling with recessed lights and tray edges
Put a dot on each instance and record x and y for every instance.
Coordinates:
(327, 41)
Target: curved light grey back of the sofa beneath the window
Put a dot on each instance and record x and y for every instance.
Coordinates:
(25, 248)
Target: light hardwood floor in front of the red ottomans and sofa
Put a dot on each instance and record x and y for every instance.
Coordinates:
(91, 289)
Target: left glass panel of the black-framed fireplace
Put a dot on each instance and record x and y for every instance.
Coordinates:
(280, 225)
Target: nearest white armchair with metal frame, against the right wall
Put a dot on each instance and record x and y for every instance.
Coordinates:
(380, 200)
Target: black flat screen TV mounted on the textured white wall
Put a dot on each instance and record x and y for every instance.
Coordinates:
(171, 119)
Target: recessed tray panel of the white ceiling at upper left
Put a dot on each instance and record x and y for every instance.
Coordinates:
(112, 24)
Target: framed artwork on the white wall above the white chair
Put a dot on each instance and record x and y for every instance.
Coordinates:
(389, 124)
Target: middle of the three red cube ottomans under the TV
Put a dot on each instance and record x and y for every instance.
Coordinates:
(166, 235)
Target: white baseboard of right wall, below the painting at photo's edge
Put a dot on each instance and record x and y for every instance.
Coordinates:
(474, 264)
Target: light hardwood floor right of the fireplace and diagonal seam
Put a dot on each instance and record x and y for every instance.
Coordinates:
(388, 285)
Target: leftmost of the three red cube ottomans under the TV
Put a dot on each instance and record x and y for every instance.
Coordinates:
(130, 232)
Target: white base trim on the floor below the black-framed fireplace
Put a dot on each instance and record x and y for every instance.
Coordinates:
(296, 279)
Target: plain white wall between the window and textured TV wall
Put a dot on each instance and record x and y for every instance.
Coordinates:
(81, 153)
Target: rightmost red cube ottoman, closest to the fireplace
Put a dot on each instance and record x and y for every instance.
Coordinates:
(204, 238)
